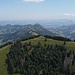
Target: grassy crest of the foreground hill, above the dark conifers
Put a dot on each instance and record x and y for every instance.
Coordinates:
(69, 45)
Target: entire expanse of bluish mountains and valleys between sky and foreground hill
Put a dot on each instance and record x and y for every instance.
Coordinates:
(9, 32)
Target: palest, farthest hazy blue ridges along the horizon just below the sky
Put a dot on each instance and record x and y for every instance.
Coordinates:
(45, 23)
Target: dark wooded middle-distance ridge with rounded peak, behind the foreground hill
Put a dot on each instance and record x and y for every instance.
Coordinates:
(12, 32)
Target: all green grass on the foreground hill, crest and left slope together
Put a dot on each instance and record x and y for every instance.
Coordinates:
(4, 50)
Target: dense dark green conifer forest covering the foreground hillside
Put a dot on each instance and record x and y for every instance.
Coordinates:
(38, 60)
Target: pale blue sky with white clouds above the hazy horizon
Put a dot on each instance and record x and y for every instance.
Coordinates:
(37, 9)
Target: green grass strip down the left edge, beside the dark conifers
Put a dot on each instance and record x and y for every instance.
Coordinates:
(3, 52)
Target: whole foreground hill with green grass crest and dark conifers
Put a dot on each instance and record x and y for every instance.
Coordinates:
(38, 56)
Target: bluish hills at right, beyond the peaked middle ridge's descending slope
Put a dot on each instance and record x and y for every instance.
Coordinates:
(65, 30)
